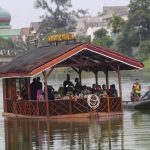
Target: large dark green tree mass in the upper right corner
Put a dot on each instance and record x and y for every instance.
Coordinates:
(137, 29)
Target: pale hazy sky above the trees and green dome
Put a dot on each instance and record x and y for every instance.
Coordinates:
(23, 11)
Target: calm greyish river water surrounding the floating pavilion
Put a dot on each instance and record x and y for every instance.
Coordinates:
(128, 132)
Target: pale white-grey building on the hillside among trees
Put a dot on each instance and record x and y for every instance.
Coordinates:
(86, 26)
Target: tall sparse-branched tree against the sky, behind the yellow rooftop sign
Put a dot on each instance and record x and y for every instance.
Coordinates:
(58, 13)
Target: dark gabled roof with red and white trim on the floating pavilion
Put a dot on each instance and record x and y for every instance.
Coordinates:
(80, 55)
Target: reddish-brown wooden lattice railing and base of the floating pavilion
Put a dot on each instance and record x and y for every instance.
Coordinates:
(57, 108)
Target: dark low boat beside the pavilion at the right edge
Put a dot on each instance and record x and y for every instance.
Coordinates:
(142, 104)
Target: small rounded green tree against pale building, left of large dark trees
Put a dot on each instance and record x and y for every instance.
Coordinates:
(116, 23)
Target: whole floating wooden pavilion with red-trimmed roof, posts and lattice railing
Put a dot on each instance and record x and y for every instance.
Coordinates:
(43, 60)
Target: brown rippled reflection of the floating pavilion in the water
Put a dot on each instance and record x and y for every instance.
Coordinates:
(81, 134)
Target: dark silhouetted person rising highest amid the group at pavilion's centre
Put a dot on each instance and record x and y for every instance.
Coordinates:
(67, 84)
